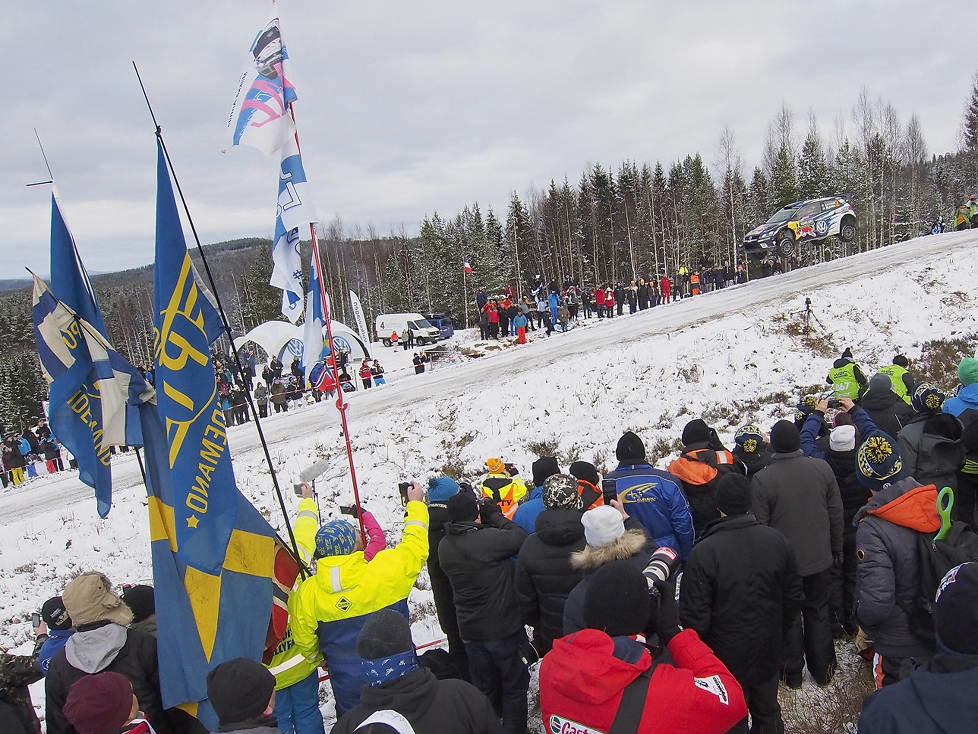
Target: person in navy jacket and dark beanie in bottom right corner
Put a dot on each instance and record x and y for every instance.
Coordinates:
(938, 696)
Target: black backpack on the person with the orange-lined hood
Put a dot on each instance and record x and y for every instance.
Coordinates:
(937, 557)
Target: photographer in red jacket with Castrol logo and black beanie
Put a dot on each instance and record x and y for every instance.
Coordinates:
(605, 678)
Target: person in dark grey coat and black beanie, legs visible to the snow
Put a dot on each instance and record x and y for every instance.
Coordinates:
(799, 496)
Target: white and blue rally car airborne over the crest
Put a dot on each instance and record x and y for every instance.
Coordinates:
(811, 220)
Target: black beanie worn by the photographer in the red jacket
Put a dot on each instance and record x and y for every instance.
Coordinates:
(617, 599)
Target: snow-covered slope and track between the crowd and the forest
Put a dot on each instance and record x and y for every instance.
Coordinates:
(732, 357)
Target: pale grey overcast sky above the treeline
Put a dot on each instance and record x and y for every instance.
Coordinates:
(405, 108)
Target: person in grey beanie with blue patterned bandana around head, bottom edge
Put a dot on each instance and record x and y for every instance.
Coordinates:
(399, 686)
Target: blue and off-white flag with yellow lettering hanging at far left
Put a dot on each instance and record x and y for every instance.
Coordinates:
(93, 390)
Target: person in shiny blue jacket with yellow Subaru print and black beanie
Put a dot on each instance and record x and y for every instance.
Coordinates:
(653, 497)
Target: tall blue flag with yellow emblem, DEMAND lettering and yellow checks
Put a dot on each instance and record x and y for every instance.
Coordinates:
(213, 553)
